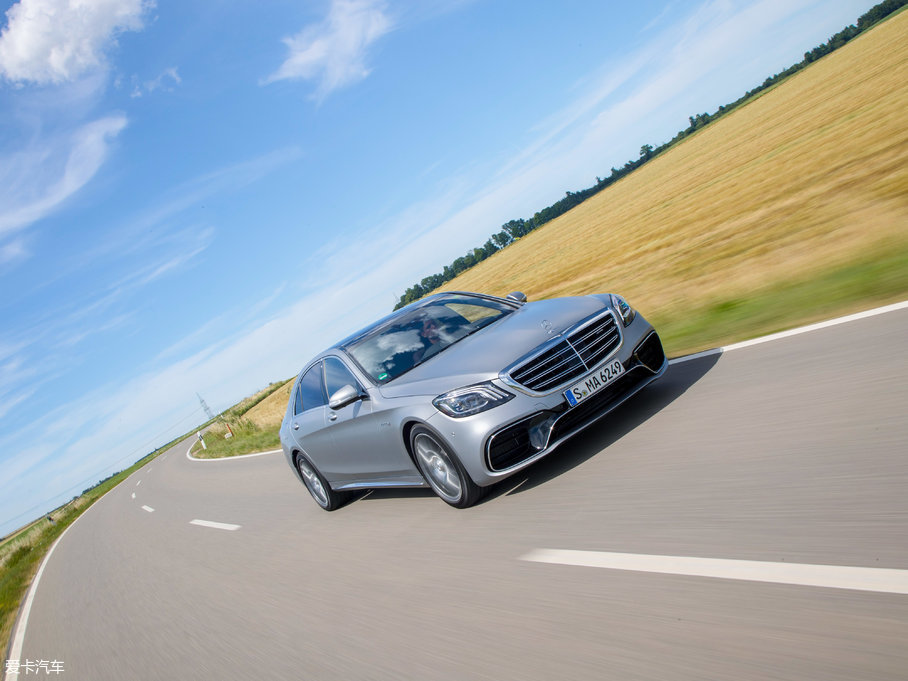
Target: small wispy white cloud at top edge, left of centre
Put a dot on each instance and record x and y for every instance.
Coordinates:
(333, 52)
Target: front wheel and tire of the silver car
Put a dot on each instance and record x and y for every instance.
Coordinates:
(442, 470)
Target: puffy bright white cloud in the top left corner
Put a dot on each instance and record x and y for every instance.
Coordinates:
(53, 41)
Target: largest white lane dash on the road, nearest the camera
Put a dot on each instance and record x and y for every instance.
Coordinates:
(884, 580)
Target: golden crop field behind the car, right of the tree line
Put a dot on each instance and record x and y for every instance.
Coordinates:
(809, 176)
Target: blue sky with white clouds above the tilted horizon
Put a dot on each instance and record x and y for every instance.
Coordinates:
(195, 197)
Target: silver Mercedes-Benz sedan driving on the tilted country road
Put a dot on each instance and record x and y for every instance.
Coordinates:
(461, 390)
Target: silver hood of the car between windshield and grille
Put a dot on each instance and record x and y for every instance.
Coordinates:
(483, 355)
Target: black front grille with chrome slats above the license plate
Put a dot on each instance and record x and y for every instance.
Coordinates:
(569, 358)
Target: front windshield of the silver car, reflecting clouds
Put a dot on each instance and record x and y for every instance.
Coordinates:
(422, 332)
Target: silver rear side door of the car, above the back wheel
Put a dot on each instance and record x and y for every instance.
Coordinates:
(309, 424)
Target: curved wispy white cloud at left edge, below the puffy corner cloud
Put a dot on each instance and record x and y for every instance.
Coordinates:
(38, 180)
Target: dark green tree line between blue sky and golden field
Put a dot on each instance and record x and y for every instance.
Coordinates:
(515, 229)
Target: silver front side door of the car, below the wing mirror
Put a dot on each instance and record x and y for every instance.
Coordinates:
(366, 446)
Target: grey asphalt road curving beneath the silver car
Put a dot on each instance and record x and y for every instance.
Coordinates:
(793, 451)
